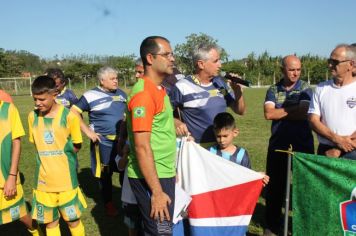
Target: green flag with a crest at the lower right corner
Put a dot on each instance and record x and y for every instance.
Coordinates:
(320, 187)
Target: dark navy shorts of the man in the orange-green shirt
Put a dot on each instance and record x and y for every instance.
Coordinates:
(143, 197)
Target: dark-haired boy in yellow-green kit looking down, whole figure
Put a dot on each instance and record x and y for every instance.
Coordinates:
(55, 131)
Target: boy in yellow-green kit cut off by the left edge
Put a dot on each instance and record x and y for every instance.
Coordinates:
(12, 202)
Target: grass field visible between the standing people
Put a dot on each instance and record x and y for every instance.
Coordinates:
(254, 134)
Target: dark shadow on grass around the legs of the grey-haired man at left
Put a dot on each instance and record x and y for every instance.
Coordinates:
(90, 187)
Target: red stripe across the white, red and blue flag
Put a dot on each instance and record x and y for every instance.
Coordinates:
(232, 201)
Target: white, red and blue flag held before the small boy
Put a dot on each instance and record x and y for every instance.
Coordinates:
(223, 193)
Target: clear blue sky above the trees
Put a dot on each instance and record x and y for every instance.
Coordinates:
(60, 28)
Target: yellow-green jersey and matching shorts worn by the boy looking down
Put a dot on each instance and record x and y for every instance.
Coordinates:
(56, 185)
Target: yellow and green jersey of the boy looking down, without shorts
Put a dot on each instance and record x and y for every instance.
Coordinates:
(56, 160)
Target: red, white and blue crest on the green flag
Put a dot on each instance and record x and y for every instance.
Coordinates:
(348, 215)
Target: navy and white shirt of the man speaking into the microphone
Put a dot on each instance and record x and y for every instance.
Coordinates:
(199, 104)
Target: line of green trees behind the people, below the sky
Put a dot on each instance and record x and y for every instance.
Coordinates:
(262, 69)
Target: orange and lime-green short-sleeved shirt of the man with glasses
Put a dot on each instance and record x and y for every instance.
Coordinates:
(149, 110)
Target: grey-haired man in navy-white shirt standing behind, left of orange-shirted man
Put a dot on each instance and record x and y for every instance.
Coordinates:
(106, 105)
